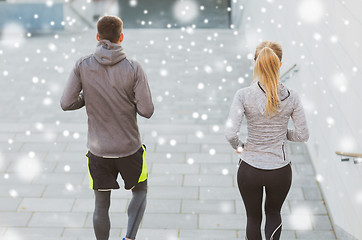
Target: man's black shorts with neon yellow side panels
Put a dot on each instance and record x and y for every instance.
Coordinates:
(103, 172)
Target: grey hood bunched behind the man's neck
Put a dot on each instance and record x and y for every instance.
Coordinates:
(108, 53)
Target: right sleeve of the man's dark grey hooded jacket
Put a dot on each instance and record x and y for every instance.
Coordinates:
(142, 92)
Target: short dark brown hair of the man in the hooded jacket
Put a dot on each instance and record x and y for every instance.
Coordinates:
(110, 28)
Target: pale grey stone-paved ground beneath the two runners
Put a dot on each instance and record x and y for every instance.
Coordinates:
(192, 194)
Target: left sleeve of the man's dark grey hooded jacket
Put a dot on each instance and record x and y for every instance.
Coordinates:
(73, 98)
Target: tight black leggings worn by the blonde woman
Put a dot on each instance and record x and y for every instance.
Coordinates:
(251, 182)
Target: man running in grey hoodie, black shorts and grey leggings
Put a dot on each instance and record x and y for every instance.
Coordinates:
(113, 89)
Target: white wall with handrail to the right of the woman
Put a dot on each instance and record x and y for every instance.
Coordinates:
(325, 42)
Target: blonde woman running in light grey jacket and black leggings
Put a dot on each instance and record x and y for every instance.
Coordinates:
(267, 105)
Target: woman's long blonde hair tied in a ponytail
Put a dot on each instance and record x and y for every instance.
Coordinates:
(268, 56)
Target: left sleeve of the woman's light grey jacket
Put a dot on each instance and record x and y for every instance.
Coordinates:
(234, 121)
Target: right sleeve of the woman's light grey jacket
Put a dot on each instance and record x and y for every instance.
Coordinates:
(300, 133)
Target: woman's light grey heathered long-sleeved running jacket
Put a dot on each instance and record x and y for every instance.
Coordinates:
(265, 147)
